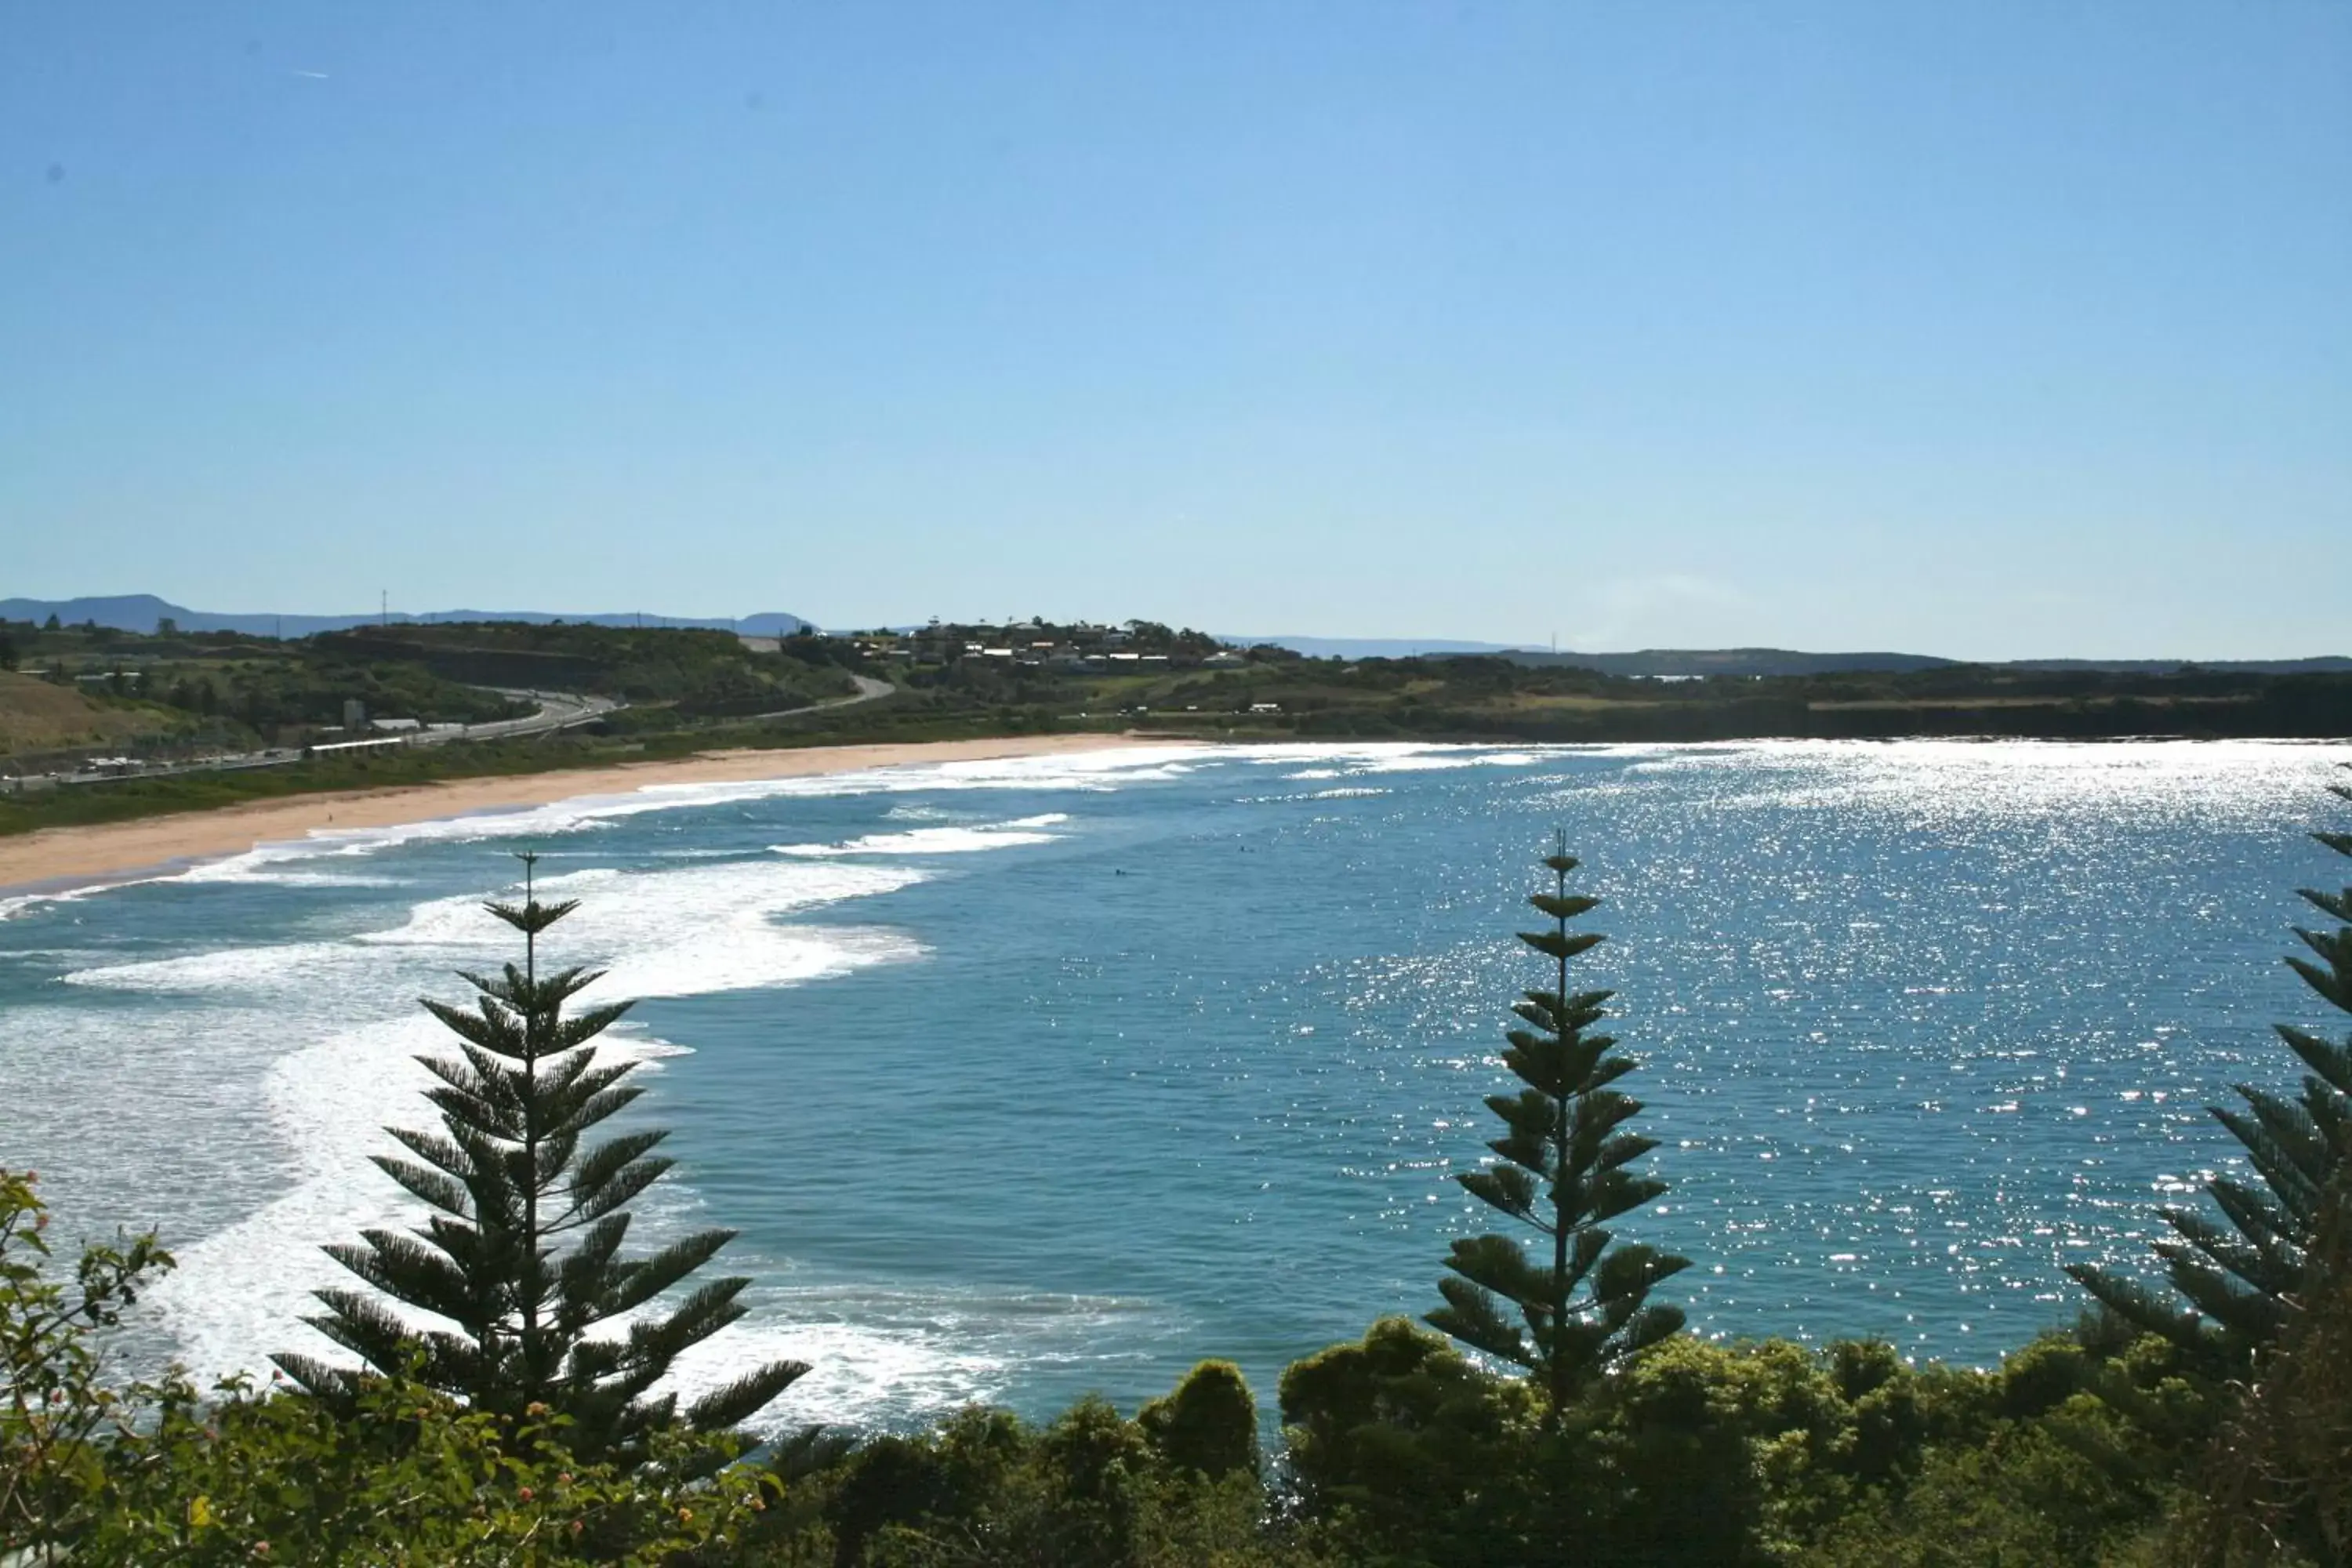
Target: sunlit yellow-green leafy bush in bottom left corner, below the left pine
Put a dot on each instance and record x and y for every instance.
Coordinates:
(241, 1475)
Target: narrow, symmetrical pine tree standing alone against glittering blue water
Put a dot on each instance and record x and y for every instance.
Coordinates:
(1563, 1172)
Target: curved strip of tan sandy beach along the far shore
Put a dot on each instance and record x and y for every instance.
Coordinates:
(105, 852)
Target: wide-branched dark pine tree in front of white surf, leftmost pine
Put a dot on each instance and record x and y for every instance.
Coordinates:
(523, 1247)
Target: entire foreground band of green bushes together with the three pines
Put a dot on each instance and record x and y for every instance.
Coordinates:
(2207, 1430)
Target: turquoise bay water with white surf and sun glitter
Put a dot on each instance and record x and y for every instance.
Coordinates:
(1055, 1076)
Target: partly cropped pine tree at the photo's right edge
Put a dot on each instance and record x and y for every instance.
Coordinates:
(2236, 1280)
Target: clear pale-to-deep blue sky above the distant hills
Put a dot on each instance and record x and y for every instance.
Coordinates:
(1979, 330)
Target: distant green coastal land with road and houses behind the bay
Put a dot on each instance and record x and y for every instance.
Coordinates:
(107, 725)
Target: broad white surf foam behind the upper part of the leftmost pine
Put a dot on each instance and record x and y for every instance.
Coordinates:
(660, 934)
